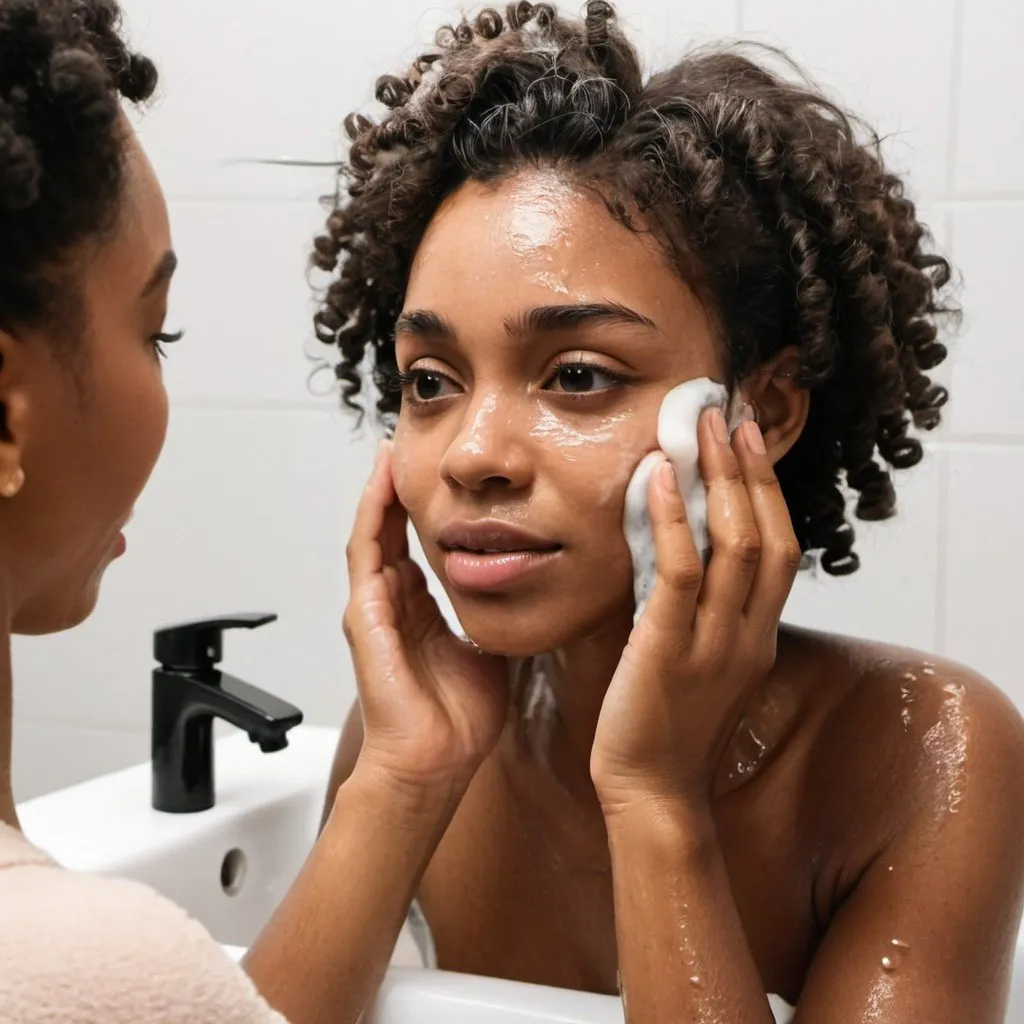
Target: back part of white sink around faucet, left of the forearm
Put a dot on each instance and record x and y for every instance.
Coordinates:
(229, 867)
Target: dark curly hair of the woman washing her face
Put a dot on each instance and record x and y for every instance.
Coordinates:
(773, 203)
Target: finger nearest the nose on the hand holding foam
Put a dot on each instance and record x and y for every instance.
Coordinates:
(679, 571)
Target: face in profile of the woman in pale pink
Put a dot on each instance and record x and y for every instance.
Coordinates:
(86, 419)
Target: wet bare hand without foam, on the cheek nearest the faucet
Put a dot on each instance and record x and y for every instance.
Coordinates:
(434, 706)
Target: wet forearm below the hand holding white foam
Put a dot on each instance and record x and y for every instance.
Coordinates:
(682, 953)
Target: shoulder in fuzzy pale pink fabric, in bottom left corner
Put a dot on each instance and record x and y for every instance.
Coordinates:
(92, 950)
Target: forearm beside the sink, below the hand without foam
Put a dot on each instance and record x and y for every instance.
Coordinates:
(323, 956)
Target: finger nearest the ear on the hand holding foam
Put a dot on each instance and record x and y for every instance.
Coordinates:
(780, 548)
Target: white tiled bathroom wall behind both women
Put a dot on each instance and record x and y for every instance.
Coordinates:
(252, 503)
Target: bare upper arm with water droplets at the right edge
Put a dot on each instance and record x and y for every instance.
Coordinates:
(929, 933)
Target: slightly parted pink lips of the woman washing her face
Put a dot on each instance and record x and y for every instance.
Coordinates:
(490, 556)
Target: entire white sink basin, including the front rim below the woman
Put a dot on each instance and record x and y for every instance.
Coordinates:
(230, 868)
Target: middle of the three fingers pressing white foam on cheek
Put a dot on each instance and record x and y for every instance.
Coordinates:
(733, 529)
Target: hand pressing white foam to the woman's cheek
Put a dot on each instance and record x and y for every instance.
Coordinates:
(706, 638)
